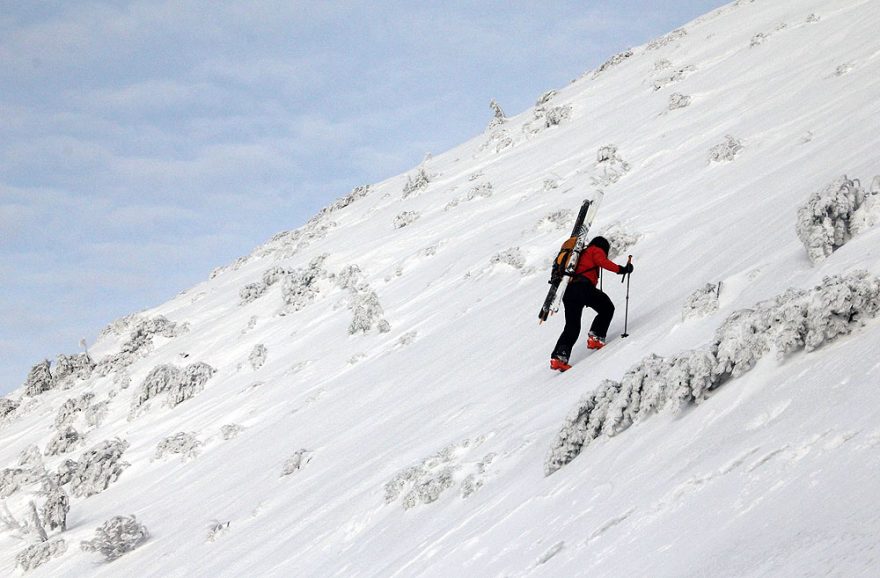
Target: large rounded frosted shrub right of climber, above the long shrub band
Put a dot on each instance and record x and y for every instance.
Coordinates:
(824, 222)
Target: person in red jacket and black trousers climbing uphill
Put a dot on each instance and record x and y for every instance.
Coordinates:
(583, 292)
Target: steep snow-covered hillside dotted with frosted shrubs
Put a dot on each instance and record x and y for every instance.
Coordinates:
(369, 395)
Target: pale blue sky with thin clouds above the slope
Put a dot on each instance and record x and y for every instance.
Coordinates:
(145, 143)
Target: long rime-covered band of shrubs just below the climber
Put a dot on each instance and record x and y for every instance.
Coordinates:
(792, 321)
